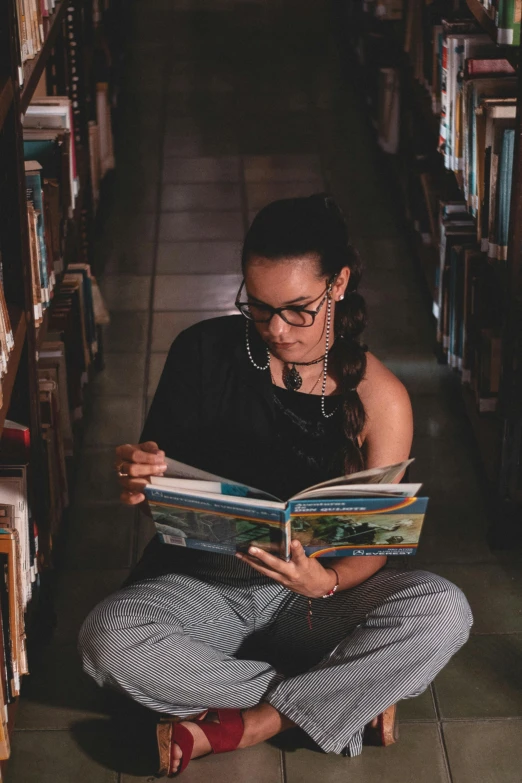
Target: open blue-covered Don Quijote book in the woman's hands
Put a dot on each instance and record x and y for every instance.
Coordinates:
(360, 514)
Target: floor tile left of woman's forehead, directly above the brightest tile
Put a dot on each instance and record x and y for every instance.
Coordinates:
(198, 257)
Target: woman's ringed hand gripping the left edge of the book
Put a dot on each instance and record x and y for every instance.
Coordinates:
(140, 461)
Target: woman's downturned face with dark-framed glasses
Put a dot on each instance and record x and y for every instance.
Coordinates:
(292, 282)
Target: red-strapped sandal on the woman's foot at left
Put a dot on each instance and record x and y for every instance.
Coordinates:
(223, 737)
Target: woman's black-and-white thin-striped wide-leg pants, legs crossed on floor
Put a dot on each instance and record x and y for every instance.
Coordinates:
(179, 644)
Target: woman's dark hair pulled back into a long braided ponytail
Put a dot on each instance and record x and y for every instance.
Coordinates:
(315, 225)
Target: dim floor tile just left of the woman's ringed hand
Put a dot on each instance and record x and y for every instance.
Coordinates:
(96, 480)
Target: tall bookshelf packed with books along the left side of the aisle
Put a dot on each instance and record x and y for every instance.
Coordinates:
(50, 255)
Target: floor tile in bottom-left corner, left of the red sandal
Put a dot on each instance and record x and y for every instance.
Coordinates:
(51, 756)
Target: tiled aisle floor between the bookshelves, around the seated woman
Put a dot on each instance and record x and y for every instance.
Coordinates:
(228, 105)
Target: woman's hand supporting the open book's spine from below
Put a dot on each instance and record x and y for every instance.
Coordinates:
(303, 575)
